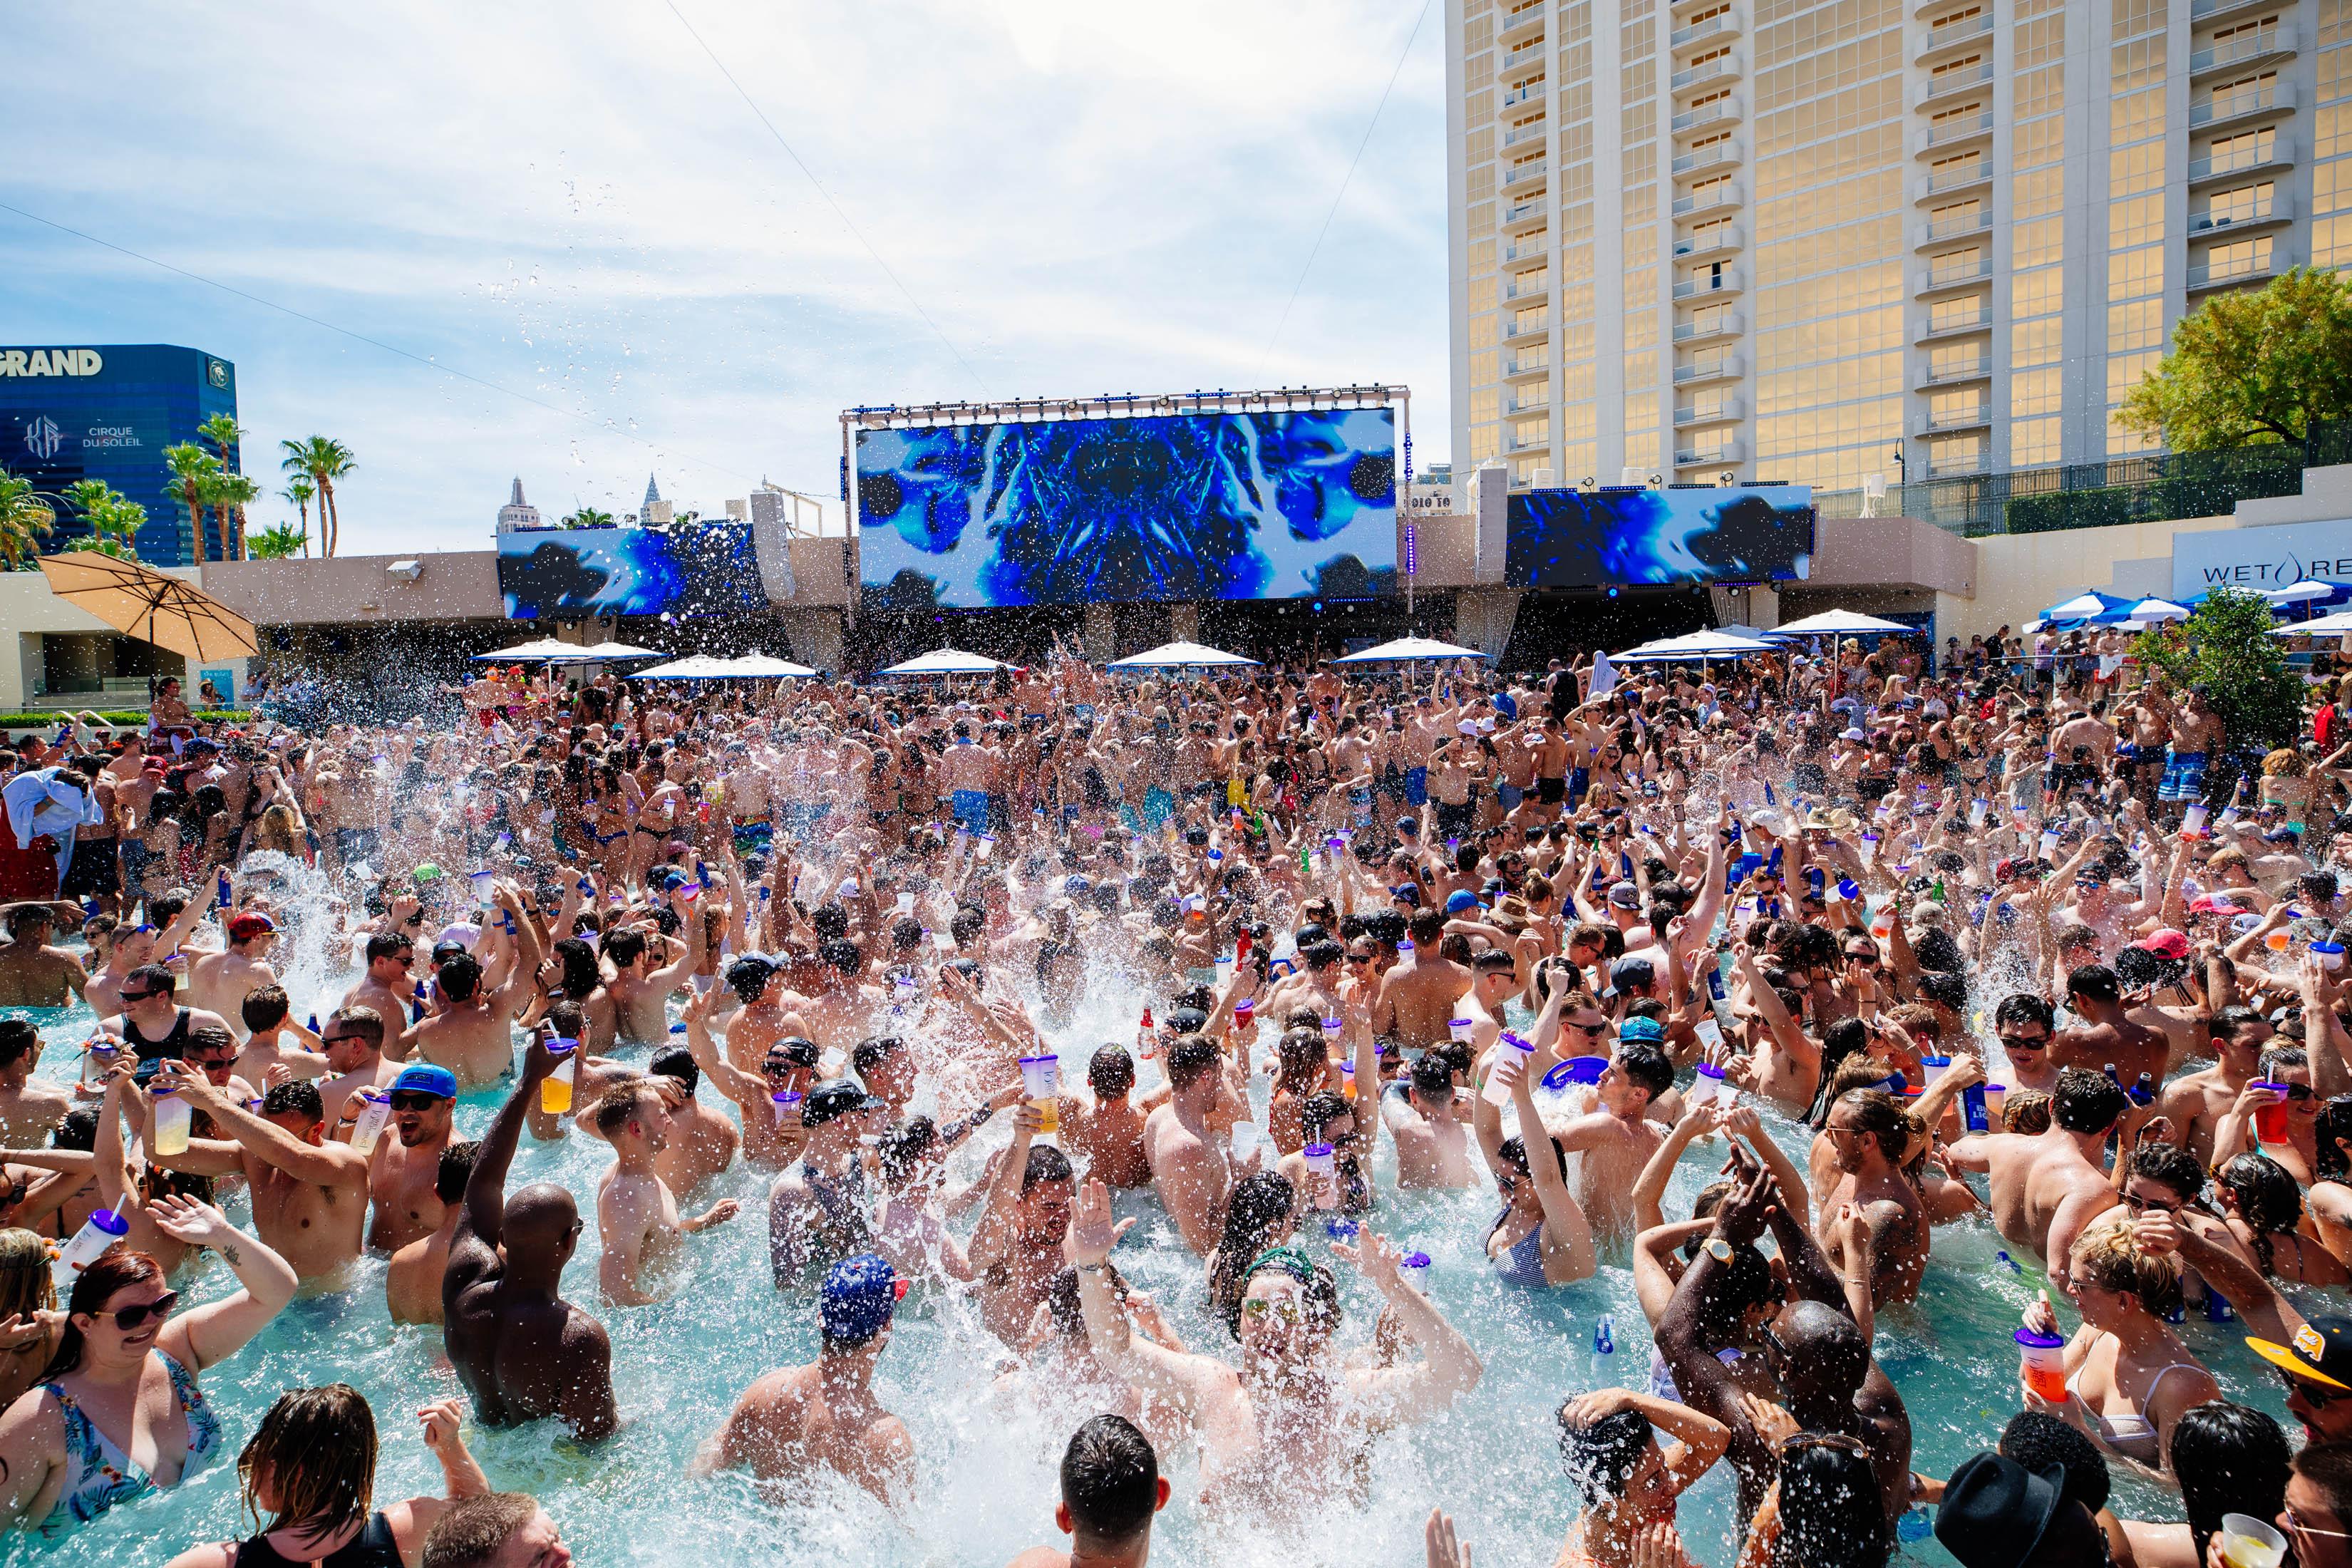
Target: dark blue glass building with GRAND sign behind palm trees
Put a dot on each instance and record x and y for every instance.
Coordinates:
(107, 413)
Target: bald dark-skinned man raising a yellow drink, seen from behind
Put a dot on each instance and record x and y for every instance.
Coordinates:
(516, 1343)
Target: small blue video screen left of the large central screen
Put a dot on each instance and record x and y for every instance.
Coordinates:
(704, 570)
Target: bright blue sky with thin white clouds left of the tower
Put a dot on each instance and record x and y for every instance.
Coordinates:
(577, 255)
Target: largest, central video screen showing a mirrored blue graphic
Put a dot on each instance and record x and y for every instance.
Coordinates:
(1184, 507)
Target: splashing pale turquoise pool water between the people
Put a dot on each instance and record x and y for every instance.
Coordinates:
(987, 1463)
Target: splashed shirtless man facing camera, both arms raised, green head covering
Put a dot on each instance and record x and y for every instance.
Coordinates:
(1292, 1407)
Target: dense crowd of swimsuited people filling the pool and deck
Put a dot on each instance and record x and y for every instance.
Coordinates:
(1887, 951)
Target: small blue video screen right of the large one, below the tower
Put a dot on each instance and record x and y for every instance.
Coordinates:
(1577, 540)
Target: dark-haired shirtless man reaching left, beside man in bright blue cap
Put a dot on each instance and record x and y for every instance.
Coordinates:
(309, 1195)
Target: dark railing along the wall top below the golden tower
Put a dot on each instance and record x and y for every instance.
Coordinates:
(2158, 488)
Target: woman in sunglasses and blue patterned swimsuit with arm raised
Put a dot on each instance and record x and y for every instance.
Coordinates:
(128, 1367)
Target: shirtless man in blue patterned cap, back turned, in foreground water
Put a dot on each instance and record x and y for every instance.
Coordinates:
(824, 1416)
